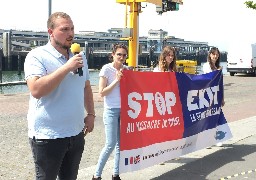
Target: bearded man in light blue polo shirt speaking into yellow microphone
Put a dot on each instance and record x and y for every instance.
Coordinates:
(57, 122)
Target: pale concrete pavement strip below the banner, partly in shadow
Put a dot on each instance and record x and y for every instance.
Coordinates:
(235, 160)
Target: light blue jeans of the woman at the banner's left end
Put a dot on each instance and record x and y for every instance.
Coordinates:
(111, 119)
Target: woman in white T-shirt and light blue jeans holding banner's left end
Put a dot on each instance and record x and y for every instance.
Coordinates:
(109, 88)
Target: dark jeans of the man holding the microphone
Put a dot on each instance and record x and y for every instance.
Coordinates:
(57, 157)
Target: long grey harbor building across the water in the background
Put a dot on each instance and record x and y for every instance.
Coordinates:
(15, 44)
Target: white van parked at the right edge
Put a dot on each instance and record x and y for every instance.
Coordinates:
(242, 59)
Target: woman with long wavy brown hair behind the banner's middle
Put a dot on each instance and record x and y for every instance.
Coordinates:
(167, 60)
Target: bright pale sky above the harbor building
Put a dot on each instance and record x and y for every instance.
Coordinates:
(218, 22)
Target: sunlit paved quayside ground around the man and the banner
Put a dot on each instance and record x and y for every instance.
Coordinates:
(237, 155)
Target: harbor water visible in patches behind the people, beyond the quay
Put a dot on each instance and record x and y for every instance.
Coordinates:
(10, 76)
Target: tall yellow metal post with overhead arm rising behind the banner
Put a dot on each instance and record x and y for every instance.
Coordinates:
(131, 32)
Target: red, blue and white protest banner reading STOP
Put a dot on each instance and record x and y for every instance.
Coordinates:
(167, 115)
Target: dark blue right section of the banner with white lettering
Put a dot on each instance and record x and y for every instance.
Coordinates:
(201, 97)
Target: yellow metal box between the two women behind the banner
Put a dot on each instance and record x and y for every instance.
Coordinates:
(187, 66)
